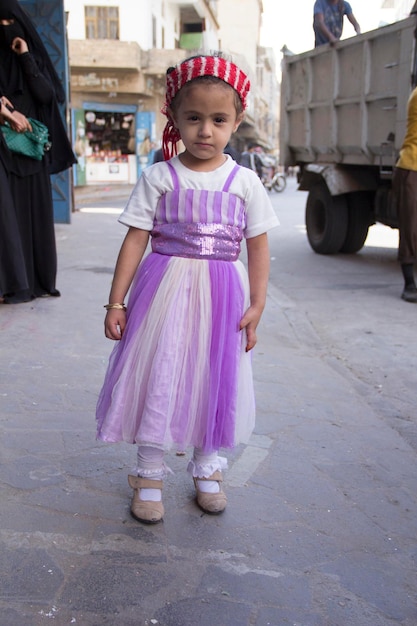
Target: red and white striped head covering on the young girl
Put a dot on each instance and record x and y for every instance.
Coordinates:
(188, 70)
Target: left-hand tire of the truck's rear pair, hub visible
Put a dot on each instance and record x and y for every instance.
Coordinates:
(326, 220)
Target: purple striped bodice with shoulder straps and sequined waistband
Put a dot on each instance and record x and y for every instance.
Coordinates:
(198, 223)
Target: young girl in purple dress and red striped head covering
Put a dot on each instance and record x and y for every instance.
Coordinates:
(181, 372)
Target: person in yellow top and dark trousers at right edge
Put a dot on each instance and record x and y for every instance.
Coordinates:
(404, 188)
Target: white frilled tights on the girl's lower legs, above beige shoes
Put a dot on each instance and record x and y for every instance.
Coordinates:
(202, 465)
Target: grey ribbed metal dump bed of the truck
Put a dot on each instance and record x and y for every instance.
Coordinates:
(347, 104)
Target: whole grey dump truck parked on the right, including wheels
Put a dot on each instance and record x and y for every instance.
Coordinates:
(343, 120)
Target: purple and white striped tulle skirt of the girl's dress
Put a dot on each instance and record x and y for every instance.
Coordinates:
(180, 374)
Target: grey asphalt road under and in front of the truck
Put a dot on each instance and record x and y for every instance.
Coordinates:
(348, 309)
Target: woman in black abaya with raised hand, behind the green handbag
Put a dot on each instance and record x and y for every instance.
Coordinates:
(29, 81)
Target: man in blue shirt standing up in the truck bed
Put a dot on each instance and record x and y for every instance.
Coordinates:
(328, 20)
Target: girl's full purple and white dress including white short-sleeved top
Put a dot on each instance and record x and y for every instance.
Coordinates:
(180, 375)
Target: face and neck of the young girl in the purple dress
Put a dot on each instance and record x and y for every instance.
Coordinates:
(206, 117)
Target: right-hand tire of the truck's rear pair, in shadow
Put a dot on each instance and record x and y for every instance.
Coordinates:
(359, 220)
